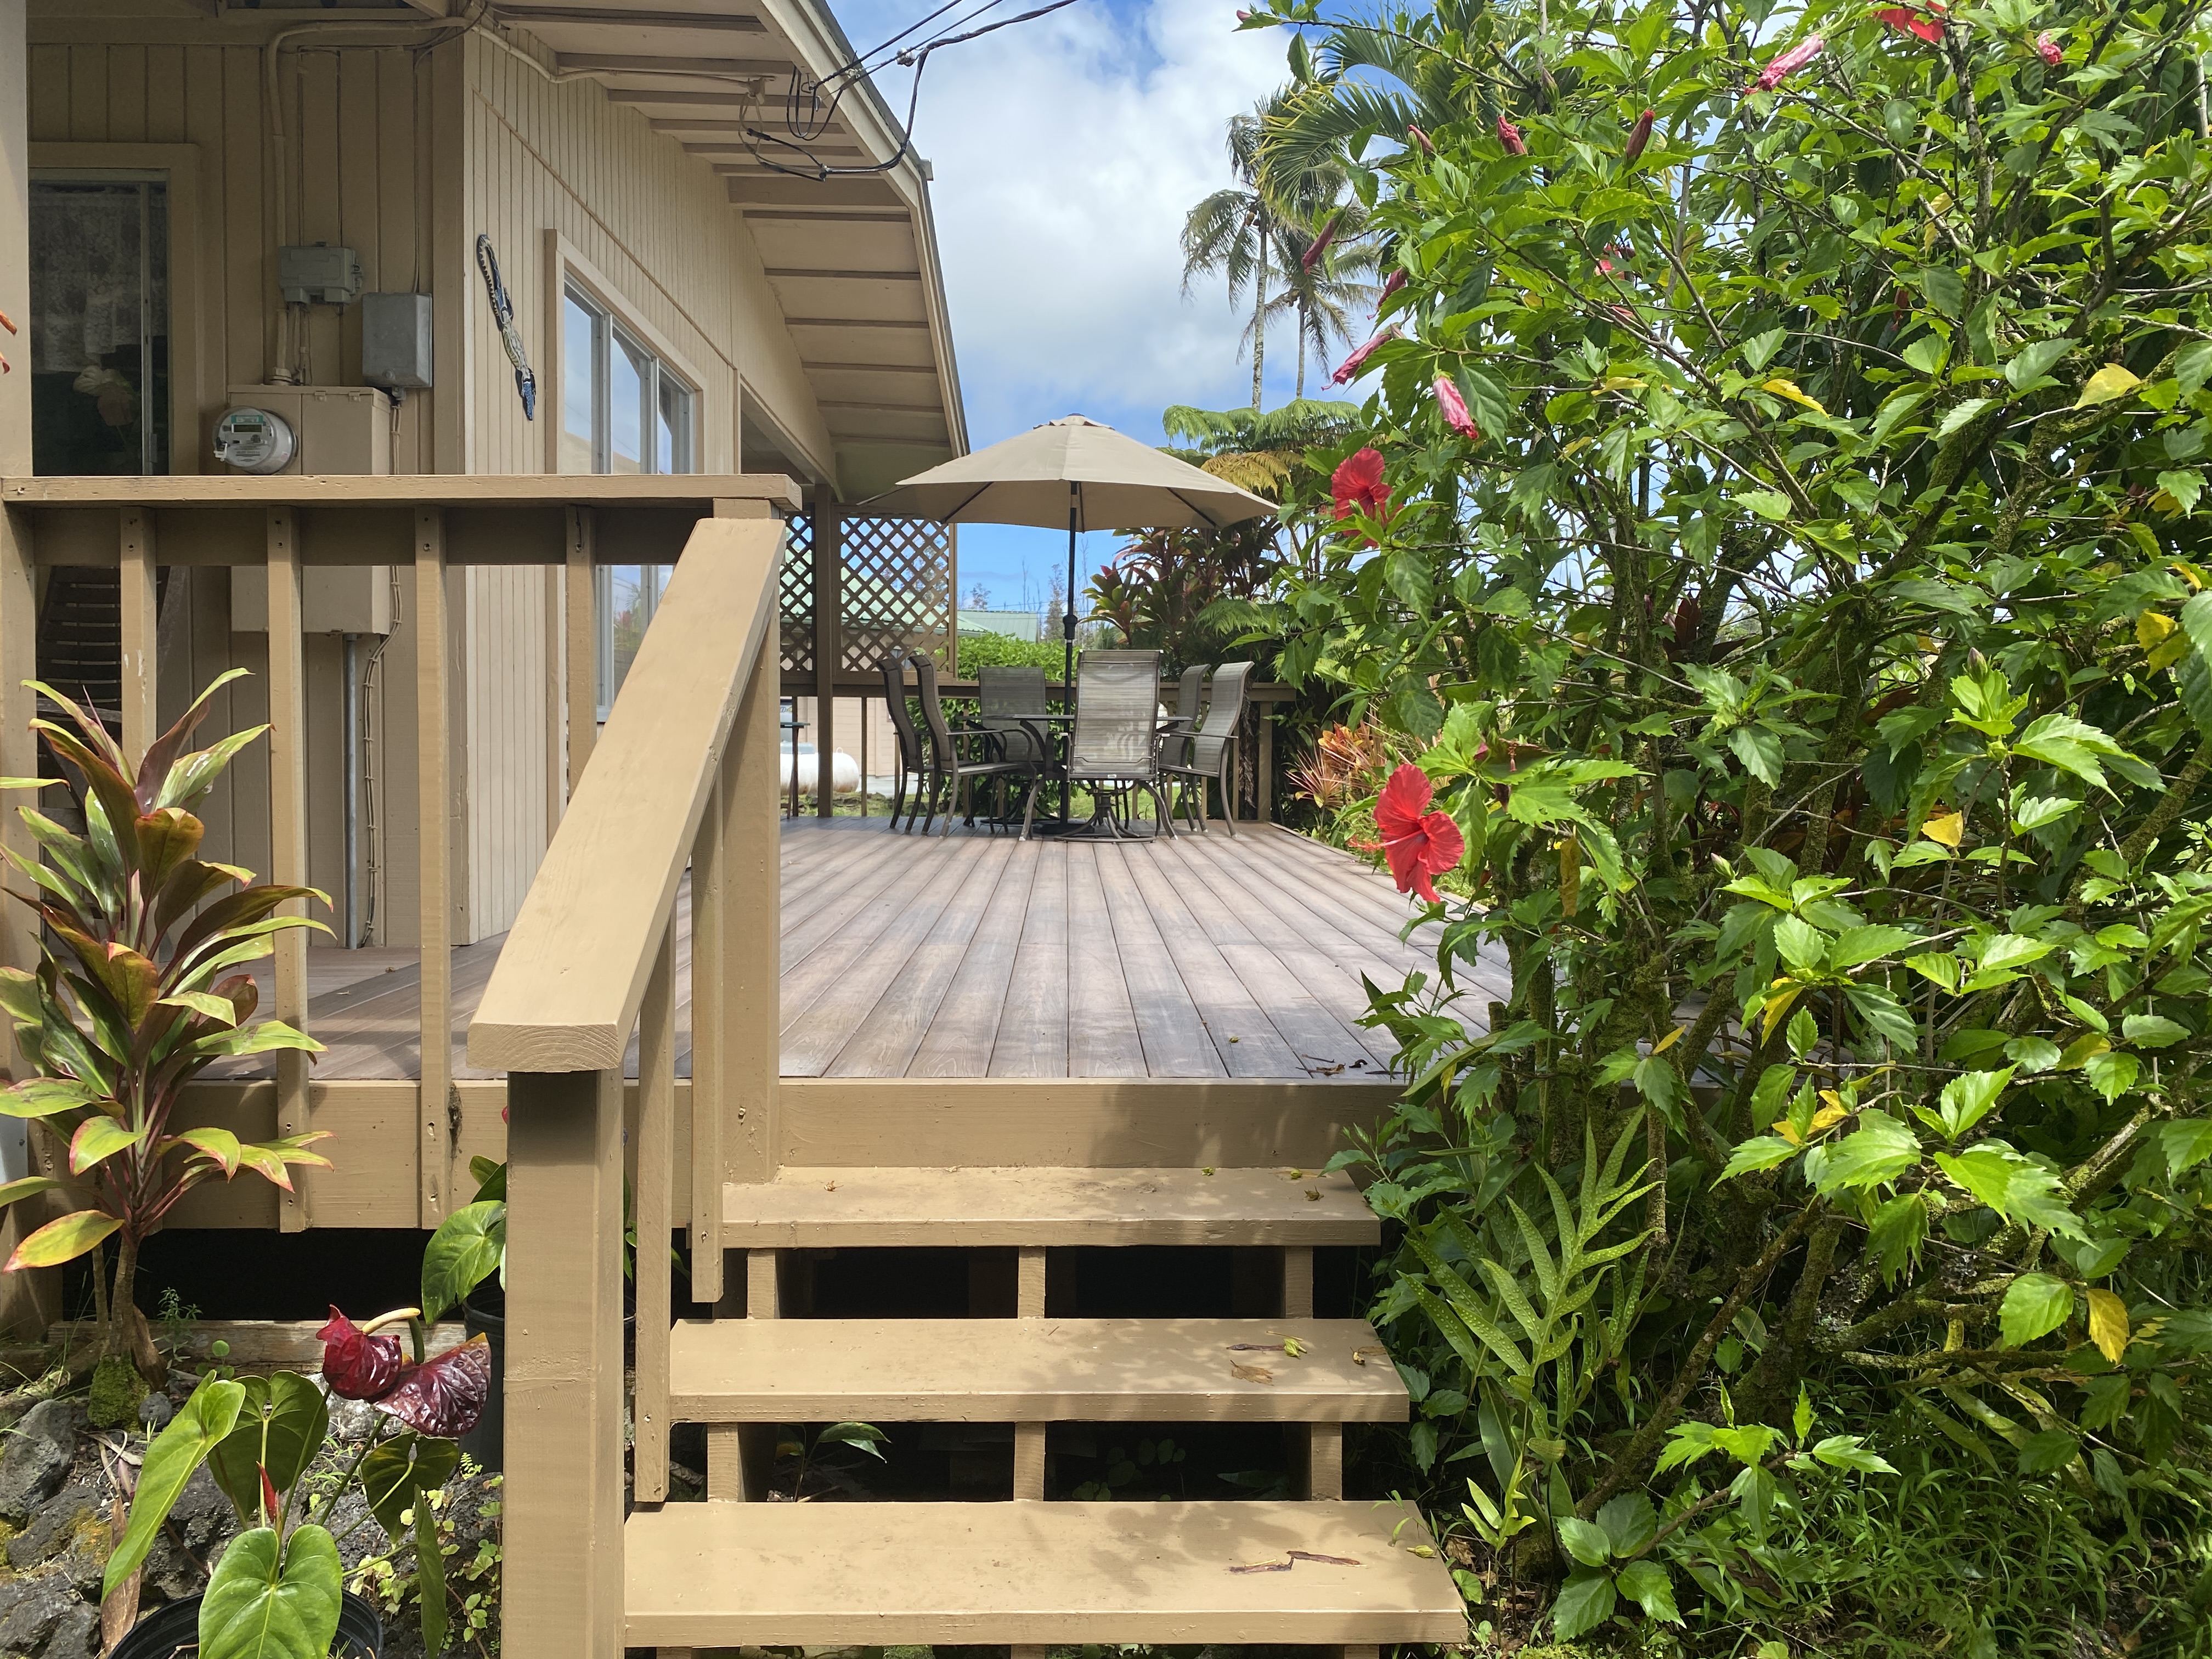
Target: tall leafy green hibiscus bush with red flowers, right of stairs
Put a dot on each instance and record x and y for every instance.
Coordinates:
(1782, 523)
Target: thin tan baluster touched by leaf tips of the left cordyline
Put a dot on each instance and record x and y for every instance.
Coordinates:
(289, 826)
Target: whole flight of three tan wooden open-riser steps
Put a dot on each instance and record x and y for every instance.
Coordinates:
(1319, 1572)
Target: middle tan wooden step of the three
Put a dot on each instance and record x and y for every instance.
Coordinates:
(1032, 1370)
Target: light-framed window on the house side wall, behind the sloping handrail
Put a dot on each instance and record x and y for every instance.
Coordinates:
(620, 413)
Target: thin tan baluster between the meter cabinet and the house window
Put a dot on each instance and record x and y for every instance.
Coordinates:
(435, 793)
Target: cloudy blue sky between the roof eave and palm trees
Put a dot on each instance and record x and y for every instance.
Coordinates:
(1067, 154)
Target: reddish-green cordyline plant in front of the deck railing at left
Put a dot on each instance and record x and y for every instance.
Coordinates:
(138, 992)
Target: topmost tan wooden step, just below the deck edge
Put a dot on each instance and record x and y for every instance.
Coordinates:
(1045, 1207)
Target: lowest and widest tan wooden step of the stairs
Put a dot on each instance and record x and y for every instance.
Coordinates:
(724, 1576)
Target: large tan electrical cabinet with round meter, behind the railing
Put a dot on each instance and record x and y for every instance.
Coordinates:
(340, 430)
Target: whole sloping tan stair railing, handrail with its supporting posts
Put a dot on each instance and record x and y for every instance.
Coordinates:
(685, 778)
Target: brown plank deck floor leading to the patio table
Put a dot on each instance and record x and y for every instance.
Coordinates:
(985, 957)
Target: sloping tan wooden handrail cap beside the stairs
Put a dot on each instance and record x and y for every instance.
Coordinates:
(574, 972)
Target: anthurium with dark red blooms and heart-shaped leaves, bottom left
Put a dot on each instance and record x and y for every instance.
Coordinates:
(278, 1587)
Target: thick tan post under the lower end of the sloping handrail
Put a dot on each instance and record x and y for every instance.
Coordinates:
(563, 1589)
